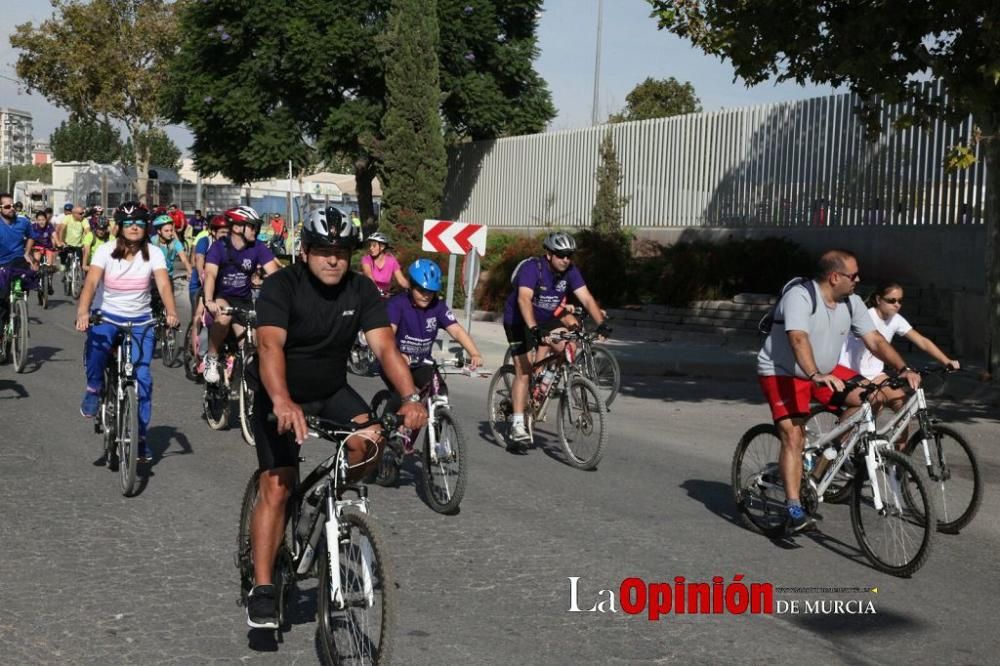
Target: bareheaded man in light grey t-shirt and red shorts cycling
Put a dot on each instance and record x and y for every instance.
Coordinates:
(799, 361)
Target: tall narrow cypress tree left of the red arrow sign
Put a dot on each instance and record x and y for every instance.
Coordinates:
(412, 153)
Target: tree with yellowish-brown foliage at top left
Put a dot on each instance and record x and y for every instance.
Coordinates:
(102, 59)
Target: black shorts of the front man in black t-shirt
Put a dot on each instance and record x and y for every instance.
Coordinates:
(274, 450)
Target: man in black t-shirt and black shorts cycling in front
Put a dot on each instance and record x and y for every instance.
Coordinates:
(307, 318)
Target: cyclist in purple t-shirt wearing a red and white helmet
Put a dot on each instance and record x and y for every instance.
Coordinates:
(229, 265)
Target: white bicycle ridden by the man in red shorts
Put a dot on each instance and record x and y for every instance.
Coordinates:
(891, 509)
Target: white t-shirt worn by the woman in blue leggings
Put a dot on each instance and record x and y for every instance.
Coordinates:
(124, 289)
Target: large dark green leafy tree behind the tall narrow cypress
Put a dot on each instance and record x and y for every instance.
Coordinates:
(301, 80)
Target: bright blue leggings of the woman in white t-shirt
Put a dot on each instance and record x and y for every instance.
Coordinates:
(100, 338)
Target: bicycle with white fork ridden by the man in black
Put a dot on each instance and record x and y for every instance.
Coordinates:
(356, 587)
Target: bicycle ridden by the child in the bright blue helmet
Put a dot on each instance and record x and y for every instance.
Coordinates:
(444, 461)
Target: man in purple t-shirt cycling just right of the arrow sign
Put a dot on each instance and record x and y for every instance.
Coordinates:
(540, 286)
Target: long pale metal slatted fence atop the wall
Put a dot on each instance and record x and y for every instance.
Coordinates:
(791, 164)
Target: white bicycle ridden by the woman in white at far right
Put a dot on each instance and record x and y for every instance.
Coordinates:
(949, 458)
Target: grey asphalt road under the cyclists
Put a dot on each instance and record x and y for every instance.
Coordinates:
(89, 577)
